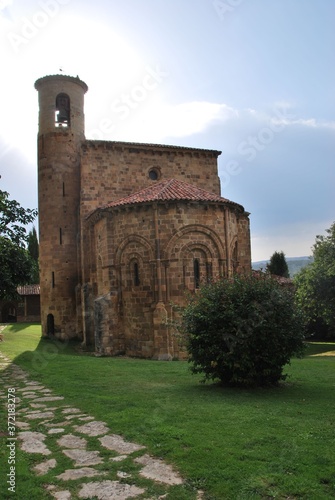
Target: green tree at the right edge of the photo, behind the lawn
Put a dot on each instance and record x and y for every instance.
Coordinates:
(316, 287)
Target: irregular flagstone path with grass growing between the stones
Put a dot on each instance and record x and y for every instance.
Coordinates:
(44, 421)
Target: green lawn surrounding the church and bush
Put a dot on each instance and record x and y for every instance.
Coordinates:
(232, 443)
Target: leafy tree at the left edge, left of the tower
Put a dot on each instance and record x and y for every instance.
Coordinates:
(15, 261)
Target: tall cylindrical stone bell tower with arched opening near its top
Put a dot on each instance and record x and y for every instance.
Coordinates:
(60, 135)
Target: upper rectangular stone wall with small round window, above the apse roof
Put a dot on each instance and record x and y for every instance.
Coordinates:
(113, 170)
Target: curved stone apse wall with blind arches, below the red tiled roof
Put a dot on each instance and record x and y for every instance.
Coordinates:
(148, 261)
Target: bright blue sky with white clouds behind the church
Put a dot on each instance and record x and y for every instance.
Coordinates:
(251, 78)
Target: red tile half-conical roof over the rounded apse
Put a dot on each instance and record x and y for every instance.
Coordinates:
(170, 190)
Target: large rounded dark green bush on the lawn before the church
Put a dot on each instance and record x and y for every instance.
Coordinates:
(242, 331)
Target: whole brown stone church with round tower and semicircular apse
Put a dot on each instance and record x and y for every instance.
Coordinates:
(125, 230)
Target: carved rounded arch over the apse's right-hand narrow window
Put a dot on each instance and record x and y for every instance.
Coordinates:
(200, 229)
